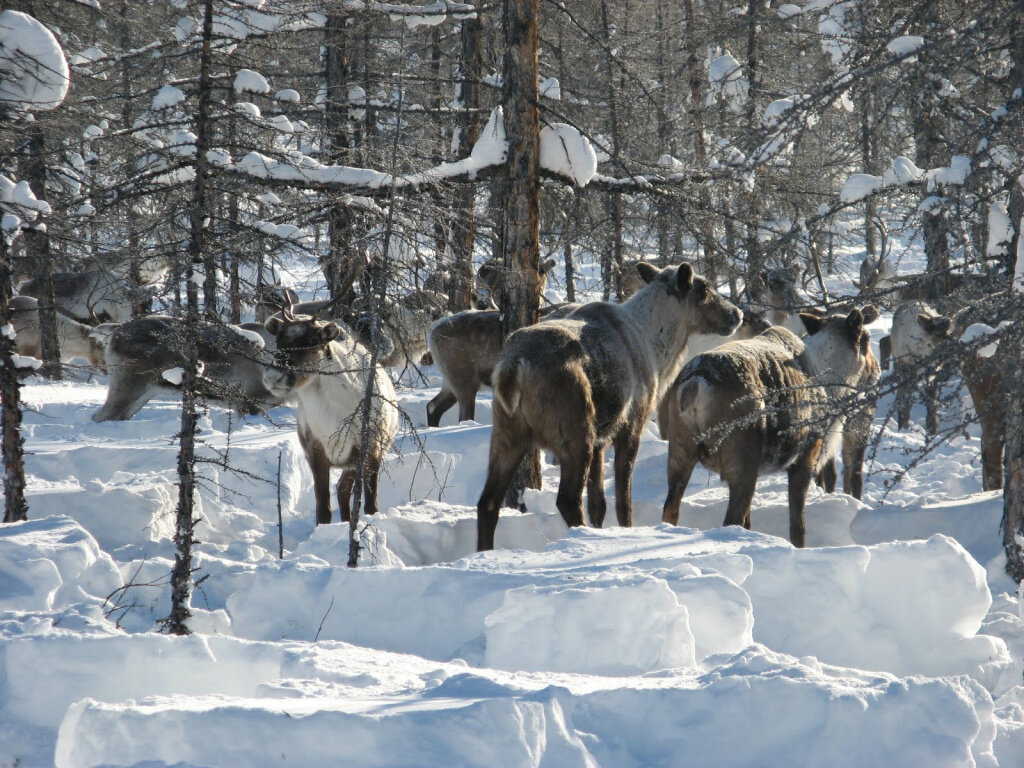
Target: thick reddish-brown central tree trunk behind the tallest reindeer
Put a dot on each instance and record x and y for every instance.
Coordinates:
(521, 223)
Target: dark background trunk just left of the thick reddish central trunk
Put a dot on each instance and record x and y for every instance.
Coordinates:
(460, 287)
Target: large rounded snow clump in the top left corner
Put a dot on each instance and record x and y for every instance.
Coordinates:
(34, 74)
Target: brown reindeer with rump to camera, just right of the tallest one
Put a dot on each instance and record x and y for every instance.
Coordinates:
(755, 407)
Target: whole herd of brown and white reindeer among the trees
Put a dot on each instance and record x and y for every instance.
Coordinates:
(744, 393)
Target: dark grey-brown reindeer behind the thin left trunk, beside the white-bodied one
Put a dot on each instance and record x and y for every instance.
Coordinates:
(142, 353)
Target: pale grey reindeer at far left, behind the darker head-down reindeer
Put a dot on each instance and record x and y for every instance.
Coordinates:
(92, 297)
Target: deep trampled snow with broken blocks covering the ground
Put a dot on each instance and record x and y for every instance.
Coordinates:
(894, 639)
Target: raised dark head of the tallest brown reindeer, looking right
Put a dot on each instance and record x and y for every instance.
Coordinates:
(698, 306)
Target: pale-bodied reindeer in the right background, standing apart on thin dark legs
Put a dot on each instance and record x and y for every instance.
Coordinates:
(916, 333)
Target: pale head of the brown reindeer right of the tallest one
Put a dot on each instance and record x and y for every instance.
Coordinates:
(837, 347)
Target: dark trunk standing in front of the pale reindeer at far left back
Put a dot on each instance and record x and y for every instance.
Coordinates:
(37, 243)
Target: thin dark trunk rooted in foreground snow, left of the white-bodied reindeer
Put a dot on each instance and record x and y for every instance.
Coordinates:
(182, 580)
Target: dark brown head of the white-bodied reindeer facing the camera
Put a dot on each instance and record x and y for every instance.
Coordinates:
(302, 343)
